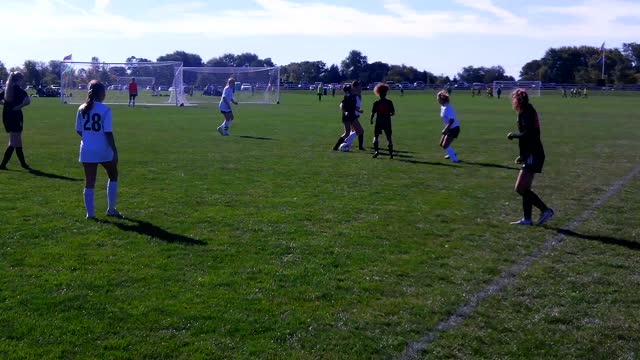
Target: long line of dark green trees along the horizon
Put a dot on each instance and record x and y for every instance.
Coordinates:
(565, 65)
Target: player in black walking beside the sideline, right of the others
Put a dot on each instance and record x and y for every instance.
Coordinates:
(531, 157)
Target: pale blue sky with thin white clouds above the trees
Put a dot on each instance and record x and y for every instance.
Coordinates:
(438, 36)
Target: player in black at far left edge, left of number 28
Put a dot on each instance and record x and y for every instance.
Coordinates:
(14, 99)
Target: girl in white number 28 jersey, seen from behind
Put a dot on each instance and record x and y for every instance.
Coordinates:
(93, 124)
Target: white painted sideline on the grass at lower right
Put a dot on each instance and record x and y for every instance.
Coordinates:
(413, 349)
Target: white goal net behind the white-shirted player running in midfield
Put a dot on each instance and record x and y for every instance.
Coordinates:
(254, 85)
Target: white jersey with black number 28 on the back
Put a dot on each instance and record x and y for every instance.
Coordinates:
(93, 125)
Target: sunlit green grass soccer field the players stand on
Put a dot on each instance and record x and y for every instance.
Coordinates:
(267, 244)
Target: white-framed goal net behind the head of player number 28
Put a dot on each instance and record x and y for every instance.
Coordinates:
(157, 81)
